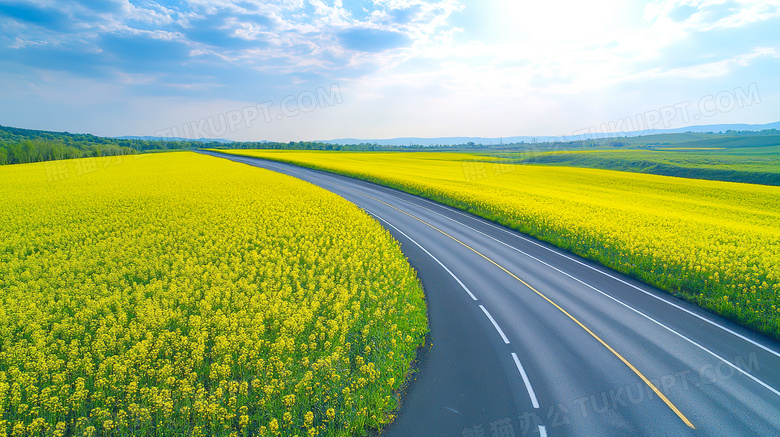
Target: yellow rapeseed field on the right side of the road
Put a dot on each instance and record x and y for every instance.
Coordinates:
(714, 243)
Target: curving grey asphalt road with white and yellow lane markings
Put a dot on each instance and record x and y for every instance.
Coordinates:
(528, 339)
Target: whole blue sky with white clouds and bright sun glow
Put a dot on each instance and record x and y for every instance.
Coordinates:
(315, 69)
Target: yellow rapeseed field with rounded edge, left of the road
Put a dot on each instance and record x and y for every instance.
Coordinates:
(180, 294)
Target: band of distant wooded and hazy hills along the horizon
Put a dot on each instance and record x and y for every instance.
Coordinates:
(19, 145)
